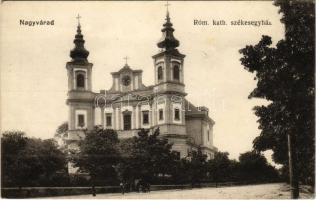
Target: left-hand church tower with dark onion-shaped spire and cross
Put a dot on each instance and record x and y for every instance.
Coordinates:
(80, 98)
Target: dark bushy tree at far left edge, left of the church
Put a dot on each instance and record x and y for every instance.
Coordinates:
(30, 161)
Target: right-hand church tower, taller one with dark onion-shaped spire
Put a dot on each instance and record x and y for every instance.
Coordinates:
(169, 88)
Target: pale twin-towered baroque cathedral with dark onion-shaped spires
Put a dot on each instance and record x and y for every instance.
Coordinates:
(129, 105)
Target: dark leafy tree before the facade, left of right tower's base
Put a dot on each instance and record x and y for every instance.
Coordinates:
(145, 157)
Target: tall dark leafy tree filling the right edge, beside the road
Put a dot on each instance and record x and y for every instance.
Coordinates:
(285, 76)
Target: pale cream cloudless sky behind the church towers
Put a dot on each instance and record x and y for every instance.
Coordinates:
(33, 58)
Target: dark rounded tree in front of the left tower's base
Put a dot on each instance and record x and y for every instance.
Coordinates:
(98, 154)
